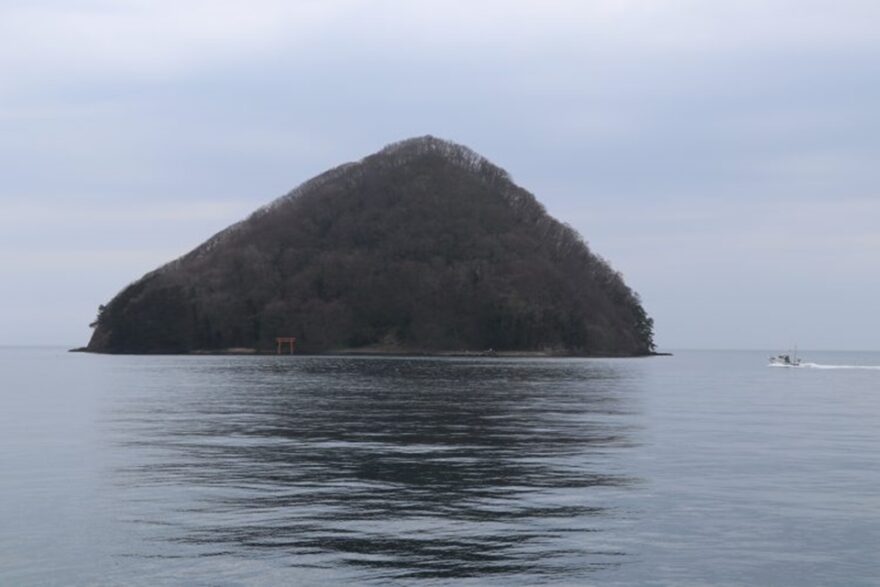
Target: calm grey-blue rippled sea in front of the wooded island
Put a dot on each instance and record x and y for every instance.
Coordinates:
(699, 469)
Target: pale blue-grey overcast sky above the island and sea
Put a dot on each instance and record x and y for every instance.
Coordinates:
(722, 155)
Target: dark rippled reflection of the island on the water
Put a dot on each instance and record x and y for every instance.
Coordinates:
(390, 468)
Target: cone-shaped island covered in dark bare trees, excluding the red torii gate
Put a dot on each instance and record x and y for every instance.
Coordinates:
(424, 245)
